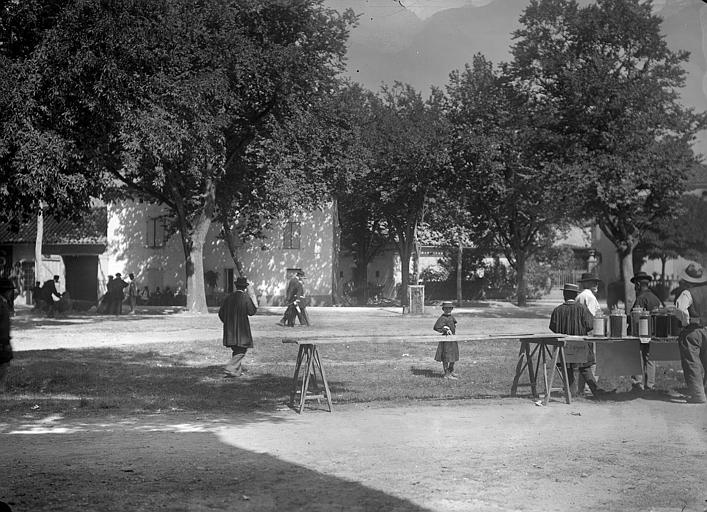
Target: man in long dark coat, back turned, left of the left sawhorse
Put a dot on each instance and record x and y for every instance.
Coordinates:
(234, 314)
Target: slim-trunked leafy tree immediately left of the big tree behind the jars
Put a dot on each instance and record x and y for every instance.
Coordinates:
(505, 175)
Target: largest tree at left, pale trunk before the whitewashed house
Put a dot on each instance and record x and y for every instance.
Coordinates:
(168, 97)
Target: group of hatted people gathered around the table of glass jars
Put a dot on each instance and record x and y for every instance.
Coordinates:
(575, 316)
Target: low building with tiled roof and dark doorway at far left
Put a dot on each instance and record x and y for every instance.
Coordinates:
(70, 249)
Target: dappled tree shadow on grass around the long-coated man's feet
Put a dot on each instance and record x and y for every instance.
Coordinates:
(105, 381)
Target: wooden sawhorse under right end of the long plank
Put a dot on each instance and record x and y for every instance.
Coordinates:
(533, 358)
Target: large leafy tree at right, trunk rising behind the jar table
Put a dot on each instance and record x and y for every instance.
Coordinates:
(614, 83)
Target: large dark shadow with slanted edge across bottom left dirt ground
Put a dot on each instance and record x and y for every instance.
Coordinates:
(116, 471)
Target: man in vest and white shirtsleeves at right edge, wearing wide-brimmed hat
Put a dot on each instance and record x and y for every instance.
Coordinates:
(692, 311)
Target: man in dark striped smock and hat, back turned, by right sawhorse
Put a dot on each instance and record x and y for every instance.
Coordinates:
(574, 318)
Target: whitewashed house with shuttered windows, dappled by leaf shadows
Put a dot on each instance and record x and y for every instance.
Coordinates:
(140, 241)
